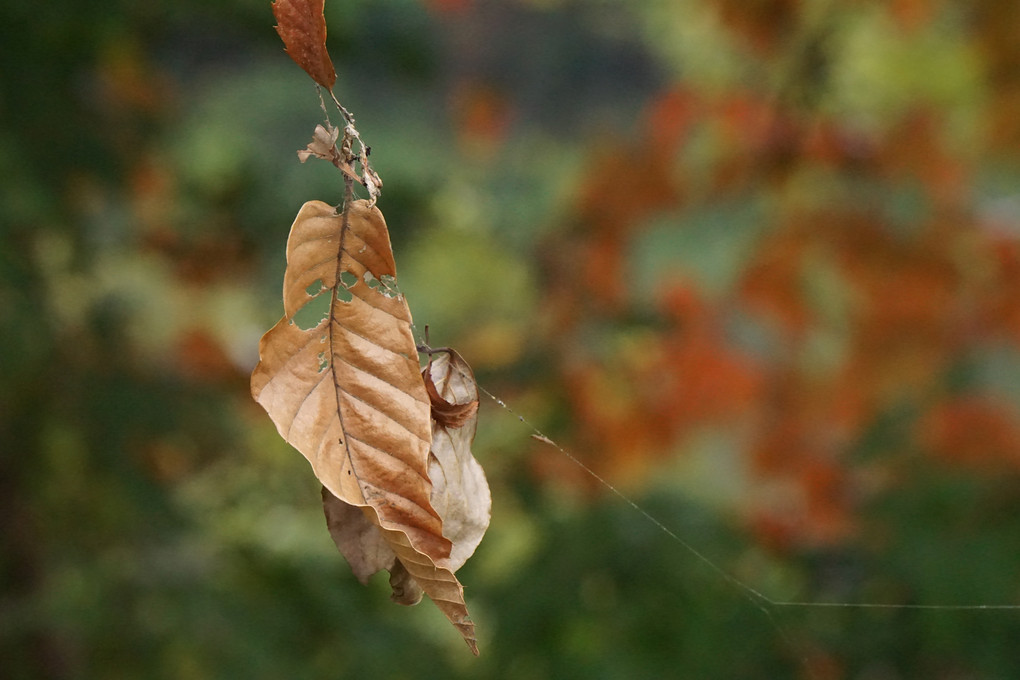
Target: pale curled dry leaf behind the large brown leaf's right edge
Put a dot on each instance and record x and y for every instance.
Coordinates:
(461, 493)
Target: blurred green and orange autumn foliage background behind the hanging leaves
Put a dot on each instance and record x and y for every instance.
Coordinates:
(755, 263)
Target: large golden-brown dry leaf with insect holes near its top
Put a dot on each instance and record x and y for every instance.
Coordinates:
(343, 387)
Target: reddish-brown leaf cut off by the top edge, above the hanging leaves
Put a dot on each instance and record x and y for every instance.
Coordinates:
(302, 27)
